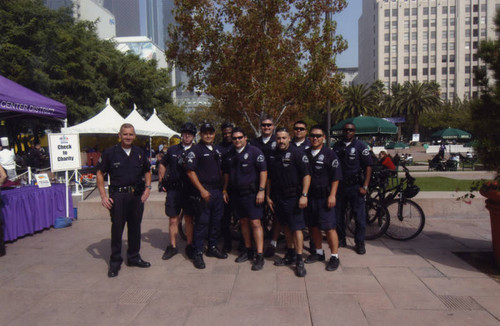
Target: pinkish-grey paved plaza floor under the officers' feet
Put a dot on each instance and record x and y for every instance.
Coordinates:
(59, 277)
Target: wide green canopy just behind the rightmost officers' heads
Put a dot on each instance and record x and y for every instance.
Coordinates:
(366, 125)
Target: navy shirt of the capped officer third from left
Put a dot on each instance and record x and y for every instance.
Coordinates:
(206, 163)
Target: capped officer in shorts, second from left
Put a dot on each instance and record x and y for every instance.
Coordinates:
(173, 179)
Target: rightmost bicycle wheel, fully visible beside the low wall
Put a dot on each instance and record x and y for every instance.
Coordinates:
(408, 224)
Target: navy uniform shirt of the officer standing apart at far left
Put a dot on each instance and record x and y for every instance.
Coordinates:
(124, 170)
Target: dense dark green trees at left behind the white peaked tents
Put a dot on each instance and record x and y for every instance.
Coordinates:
(51, 53)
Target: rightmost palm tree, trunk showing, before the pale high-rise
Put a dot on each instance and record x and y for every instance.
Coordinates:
(415, 98)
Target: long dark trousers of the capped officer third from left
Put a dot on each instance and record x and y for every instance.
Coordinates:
(209, 220)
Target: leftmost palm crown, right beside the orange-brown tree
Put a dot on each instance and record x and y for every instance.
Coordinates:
(357, 100)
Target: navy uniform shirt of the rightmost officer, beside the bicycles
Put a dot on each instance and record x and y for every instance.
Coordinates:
(353, 158)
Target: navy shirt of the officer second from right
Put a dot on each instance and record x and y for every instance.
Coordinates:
(325, 167)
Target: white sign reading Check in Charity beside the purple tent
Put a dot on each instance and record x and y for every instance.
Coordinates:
(64, 152)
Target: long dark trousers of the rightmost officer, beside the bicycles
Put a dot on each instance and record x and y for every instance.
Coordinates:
(351, 195)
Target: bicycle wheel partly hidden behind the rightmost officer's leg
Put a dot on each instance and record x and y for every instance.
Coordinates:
(377, 220)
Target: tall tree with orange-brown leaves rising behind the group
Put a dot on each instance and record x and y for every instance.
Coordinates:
(258, 57)
